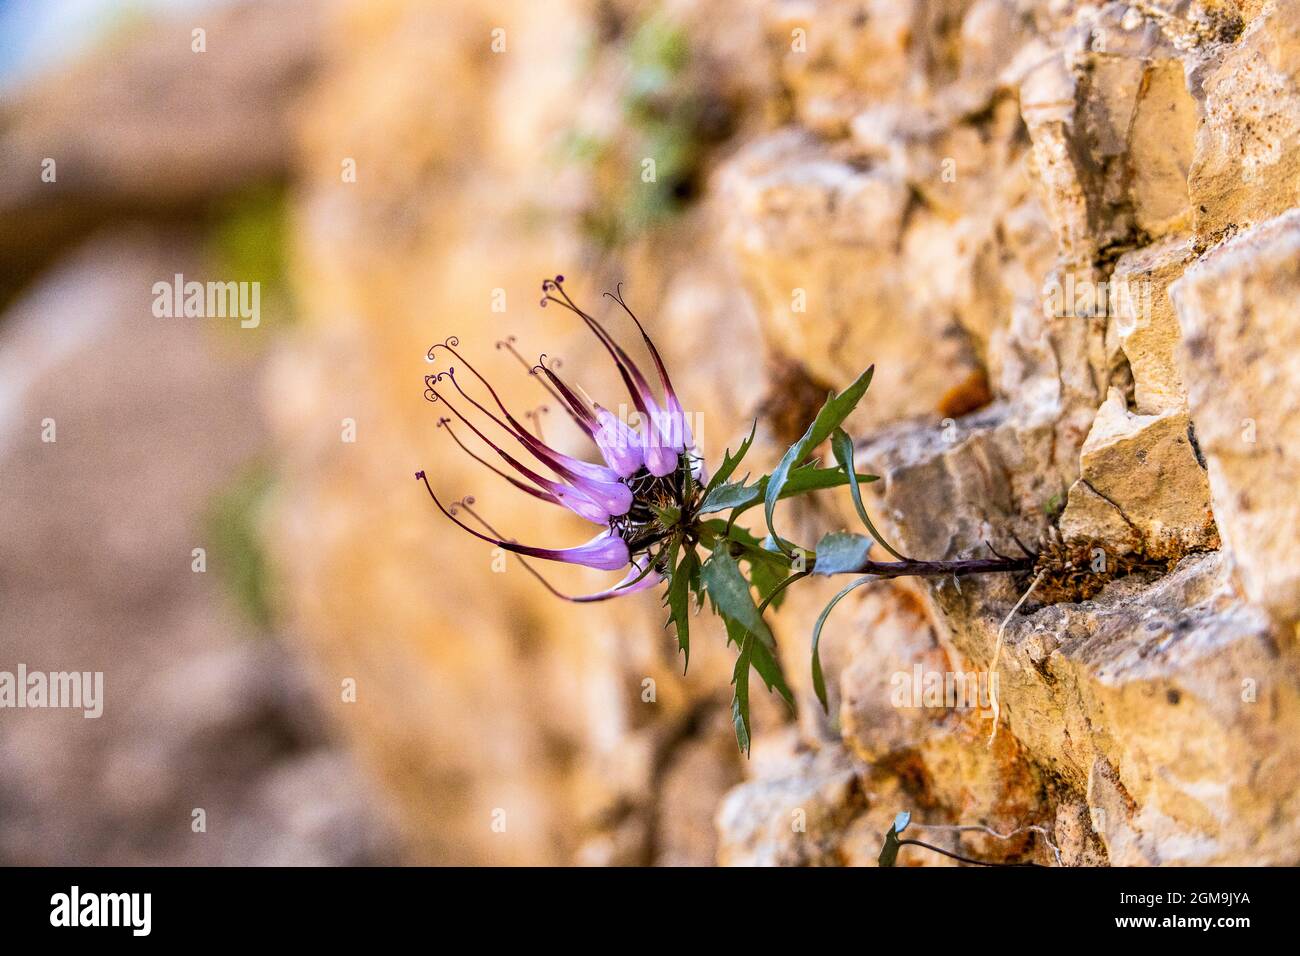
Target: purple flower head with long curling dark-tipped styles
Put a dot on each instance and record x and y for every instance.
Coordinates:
(647, 465)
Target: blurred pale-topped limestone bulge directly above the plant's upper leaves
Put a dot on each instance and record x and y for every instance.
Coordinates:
(817, 240)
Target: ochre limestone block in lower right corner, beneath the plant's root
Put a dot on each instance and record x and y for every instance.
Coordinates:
(1173, 686)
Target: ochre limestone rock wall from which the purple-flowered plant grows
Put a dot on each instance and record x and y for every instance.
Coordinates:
(1064, 235)
